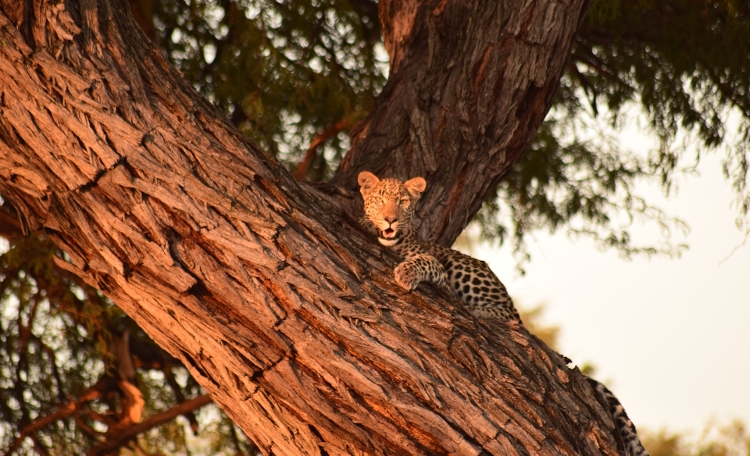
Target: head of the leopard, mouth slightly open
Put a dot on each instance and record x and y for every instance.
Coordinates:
(389, 205)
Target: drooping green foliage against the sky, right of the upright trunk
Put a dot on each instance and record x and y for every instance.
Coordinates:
(661, 57)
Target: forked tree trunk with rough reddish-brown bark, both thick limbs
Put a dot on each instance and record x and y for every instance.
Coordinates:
(280, 306)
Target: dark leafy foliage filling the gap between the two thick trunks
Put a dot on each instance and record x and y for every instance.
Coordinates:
(283, 71)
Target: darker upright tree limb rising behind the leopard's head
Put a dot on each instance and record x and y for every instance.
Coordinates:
(471, 82)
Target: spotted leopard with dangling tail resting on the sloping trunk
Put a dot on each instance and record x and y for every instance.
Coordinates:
(389, 209)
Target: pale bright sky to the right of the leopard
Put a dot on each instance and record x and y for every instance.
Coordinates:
(669, 336)
